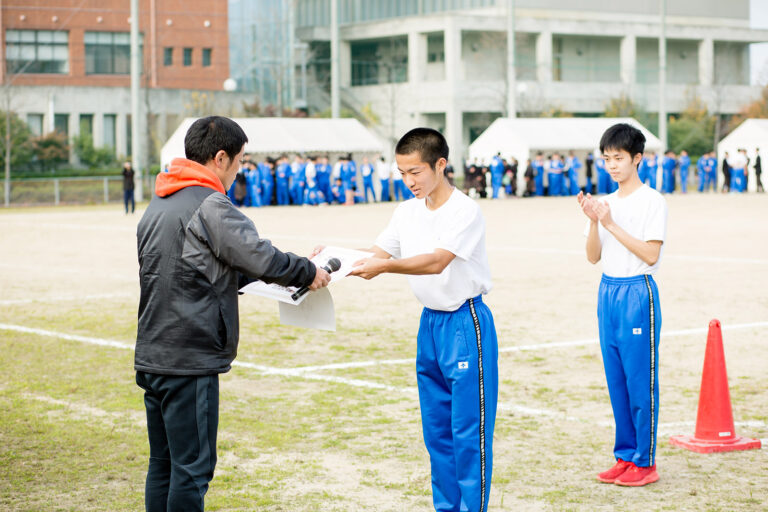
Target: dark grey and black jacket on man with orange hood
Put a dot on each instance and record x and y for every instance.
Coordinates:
(195, 251)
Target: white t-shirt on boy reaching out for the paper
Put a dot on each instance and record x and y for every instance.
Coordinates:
(457, 226)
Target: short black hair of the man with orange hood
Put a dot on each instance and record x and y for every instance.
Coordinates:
(209, 135)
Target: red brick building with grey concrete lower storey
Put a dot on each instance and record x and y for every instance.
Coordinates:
(67, 65)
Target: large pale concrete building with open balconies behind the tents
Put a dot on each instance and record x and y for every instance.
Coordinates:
(443, 63)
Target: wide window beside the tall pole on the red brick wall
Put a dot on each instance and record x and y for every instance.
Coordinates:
(108, 53)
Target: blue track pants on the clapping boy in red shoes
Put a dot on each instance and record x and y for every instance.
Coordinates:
(629, 316)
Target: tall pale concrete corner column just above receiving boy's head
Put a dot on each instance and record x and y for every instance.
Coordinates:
(453, 114)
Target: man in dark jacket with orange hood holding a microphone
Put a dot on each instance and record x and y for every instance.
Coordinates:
(195, 251)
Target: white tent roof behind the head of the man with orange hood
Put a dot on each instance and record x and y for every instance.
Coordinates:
(276, 135)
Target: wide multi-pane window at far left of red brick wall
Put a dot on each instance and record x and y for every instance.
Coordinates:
(37, 51)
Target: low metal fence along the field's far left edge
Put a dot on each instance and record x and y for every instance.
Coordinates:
(68, 191)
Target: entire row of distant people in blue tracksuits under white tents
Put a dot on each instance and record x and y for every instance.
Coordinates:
(312, 180)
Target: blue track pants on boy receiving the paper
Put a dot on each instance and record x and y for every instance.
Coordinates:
(458, 378)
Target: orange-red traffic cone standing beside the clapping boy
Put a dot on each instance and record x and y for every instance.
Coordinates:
(714, 422)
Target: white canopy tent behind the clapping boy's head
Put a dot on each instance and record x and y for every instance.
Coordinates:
(522, 138)
